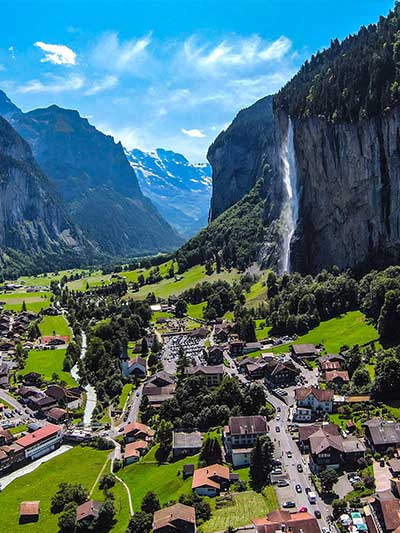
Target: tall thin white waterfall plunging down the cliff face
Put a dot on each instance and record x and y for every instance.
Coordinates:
(291, 205)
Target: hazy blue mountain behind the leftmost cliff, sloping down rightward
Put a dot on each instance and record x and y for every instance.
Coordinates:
(93, 176)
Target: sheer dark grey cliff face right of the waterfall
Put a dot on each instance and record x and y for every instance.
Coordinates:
(349, 191)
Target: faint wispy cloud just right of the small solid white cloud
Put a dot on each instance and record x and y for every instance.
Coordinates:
(112, 54)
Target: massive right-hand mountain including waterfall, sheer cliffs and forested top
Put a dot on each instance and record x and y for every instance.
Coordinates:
(327, 148)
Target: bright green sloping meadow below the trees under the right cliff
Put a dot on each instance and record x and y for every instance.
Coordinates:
(350, 329)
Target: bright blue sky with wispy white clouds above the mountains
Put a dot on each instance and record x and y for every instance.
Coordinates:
(164, 73)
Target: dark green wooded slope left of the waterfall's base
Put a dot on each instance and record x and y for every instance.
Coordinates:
(233, 239)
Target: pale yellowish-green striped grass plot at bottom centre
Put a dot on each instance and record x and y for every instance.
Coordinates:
(246, 505)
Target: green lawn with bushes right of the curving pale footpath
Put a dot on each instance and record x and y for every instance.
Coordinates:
(165, 480)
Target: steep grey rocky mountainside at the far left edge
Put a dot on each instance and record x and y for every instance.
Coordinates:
(35, 229)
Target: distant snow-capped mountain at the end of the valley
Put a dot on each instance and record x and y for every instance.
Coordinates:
(180, 190)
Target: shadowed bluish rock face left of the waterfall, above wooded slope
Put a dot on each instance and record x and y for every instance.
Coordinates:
(239, 154)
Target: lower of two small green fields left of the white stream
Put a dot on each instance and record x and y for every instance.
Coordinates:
(47, 362)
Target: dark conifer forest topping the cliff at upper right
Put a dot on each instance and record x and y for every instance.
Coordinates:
(351, 80)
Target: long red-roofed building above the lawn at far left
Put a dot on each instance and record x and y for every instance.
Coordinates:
(41, 442)
